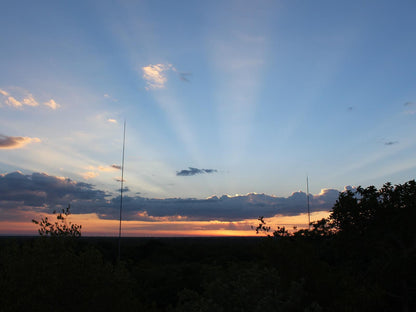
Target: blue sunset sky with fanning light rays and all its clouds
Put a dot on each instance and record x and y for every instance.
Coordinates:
(228, 105)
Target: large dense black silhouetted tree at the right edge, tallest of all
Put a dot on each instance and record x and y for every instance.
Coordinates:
(378, 227)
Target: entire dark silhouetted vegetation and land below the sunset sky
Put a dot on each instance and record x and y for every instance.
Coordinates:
(362, 258)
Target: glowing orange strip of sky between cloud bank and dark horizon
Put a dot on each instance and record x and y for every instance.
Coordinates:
(92, 225)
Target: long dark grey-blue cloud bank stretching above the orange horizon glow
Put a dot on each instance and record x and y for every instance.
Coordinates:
(42, 193)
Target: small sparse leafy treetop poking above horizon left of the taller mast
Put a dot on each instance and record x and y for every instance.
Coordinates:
(61, 227)
